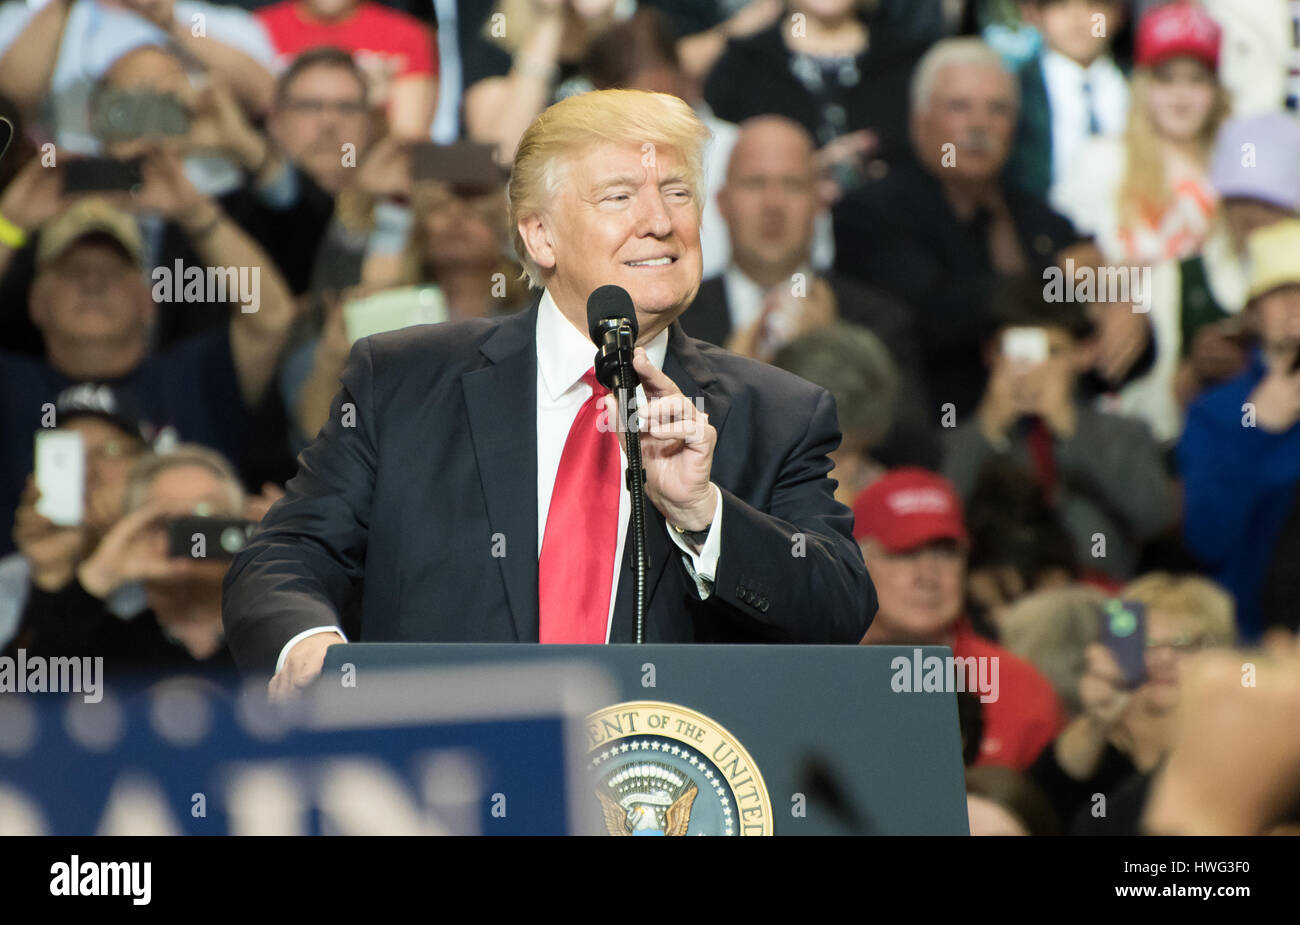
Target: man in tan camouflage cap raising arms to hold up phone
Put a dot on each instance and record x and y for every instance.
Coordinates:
(96, 310)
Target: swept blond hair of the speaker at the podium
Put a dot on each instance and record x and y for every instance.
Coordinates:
(621, 116)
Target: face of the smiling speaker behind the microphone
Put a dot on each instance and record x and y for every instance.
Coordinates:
(623, 216)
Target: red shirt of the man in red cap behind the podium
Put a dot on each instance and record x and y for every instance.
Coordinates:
(1026, 715)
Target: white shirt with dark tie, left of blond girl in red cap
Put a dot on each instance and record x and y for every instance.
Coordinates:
(1065, 81)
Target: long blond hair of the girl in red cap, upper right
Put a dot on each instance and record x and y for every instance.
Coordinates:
(1145, 193)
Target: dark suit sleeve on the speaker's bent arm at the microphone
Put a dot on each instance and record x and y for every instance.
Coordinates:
(795, 574)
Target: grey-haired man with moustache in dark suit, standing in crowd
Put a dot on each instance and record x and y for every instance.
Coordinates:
(941, 229)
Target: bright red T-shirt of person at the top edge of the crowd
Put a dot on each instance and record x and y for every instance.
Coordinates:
(374, 34)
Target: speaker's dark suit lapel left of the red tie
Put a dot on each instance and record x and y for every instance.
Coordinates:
(501, 402)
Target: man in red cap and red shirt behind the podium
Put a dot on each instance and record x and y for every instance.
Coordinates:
(911, 528)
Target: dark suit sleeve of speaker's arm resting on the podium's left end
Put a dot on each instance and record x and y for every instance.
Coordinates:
(307, 559)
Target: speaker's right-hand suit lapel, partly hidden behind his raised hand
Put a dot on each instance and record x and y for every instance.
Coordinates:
(687, 367)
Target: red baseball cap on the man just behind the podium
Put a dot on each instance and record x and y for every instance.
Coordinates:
(907, 509)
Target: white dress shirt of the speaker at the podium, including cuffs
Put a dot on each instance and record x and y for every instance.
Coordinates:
(564, 355)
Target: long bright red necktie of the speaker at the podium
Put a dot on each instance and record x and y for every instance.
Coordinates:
(577, 567)
